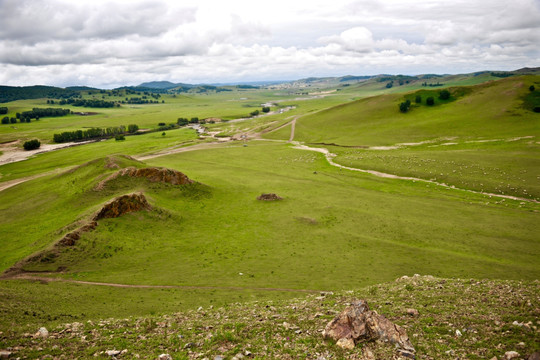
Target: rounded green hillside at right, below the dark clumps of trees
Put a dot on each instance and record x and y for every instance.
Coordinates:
(491, 110)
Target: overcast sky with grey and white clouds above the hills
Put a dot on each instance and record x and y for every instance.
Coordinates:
(111, 43)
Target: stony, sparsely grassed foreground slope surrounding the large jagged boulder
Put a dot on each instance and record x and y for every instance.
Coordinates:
(443, 318)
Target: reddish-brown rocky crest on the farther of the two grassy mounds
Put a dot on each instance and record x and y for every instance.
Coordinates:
(153, 174)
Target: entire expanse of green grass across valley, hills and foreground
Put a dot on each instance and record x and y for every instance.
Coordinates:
(213, 243)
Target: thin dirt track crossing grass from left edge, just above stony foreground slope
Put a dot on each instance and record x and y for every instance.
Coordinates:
(184, 287)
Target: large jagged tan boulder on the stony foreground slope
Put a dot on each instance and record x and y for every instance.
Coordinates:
(358, 324)
